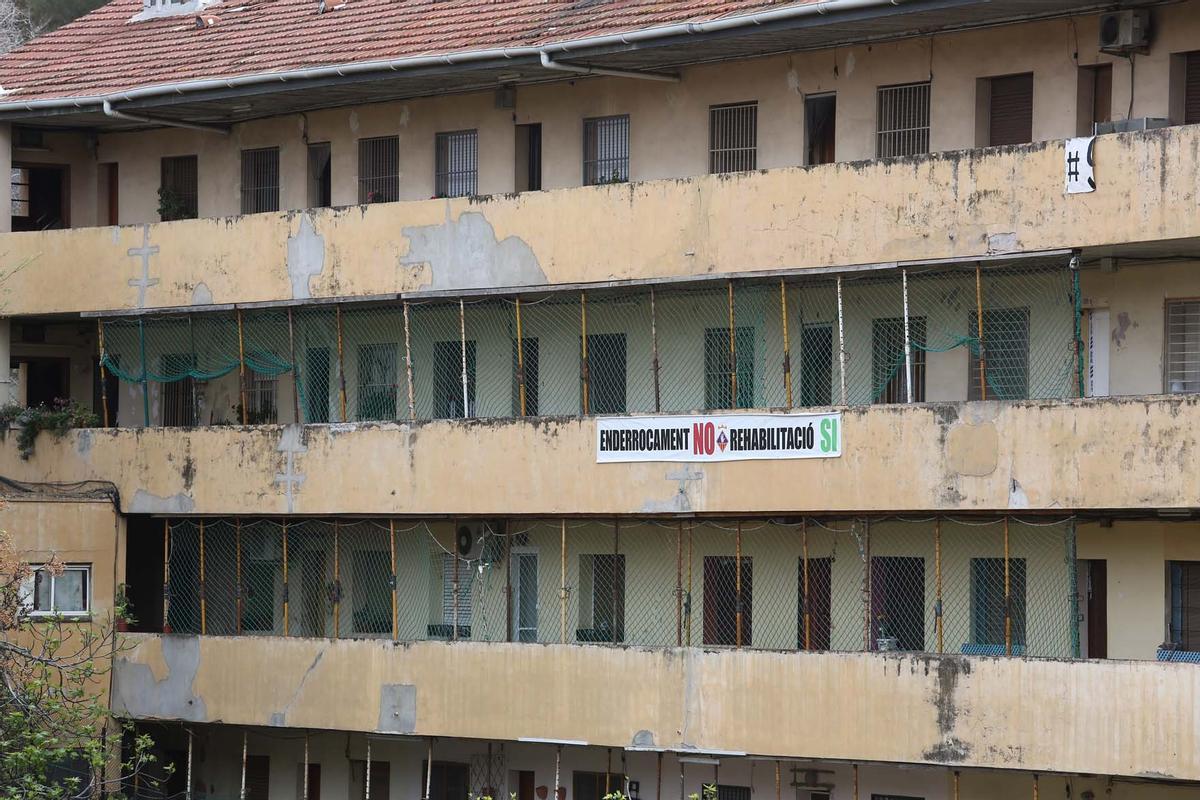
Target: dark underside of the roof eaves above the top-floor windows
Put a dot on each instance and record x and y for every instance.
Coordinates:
(237, 104)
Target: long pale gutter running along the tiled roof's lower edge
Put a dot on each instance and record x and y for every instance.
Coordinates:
(542, 53)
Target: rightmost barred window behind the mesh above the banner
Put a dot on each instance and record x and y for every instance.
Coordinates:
(1006, 341)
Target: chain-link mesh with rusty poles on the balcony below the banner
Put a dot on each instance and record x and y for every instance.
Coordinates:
(999, 587)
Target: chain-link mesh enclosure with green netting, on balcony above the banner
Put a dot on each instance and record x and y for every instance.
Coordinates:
(881, 336)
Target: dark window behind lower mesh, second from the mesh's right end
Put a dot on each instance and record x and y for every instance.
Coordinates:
(898, 601)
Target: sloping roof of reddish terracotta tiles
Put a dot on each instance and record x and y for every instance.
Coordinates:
(105, 52)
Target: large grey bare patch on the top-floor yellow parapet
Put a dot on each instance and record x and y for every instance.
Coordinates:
(466, 254)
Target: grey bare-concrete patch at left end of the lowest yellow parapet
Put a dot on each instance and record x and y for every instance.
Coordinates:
(139, 693)
